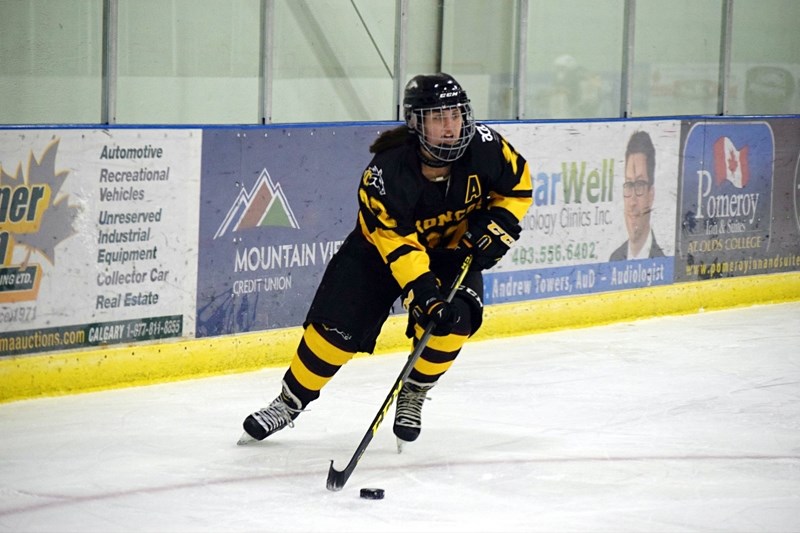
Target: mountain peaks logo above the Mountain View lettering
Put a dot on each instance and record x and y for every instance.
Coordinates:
(263, 205)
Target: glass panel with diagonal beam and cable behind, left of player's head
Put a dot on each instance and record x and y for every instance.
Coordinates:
(333, 60)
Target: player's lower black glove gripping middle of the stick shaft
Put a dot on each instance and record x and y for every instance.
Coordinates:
(426, 304)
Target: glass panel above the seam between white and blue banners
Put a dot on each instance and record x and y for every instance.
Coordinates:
(188, 61)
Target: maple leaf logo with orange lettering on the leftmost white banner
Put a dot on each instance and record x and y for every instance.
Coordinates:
(34, 219)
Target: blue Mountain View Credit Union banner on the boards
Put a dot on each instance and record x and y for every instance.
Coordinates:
(275, 206)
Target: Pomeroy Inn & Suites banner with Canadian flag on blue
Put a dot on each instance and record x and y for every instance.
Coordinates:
(738, 201)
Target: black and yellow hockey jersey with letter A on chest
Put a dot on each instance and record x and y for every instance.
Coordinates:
(402, 214)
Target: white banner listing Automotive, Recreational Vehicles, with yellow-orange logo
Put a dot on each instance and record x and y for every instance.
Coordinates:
(98, 232)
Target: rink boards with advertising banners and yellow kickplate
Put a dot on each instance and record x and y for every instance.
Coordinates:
(138, 255)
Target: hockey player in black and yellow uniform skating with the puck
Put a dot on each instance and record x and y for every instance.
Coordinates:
(439, 187)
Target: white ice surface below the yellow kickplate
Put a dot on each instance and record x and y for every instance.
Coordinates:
(671, 424)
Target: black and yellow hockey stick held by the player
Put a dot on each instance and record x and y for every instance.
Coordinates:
(337, 478)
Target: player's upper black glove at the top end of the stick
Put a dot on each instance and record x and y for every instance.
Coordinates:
(489, 237)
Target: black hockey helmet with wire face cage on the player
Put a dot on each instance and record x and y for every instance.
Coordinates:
(425, 93)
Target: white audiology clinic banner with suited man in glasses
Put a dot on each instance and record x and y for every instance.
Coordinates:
(577, 236)
